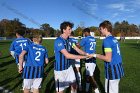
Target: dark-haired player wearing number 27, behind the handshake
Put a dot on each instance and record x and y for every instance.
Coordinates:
(89, 45)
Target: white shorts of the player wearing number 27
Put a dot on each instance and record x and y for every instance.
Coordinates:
(90, 67)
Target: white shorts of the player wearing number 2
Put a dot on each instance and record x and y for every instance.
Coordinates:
(32, 83)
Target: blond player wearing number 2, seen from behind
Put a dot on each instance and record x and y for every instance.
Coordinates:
(34, 66)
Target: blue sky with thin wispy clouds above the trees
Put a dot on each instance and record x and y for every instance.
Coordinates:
(85, 13)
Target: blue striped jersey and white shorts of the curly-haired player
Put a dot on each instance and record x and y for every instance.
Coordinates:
(63, 71)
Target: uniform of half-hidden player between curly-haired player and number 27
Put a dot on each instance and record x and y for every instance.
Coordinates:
(74, 62)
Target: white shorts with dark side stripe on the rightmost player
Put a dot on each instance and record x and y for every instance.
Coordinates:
(113, 86)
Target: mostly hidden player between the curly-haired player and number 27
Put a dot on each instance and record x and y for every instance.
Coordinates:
(76, 62)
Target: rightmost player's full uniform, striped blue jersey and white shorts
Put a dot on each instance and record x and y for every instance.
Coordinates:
(114, 69)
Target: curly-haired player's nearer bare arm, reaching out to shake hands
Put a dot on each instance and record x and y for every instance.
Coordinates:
(72, 56)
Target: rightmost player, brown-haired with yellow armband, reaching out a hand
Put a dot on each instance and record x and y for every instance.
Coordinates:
(112, 58)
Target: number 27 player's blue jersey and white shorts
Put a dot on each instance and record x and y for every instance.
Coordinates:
(89, 45)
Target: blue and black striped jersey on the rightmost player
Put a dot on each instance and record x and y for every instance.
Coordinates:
(113, 69)
